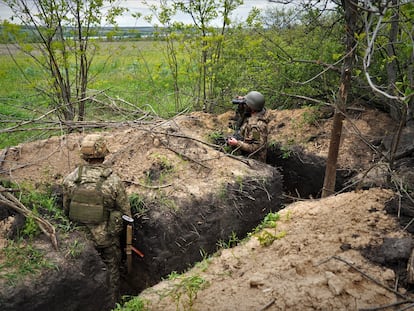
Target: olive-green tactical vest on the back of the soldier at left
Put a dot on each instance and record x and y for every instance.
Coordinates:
(87, 204)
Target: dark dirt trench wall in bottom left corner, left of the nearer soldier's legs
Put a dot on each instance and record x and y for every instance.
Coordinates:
(78, 283)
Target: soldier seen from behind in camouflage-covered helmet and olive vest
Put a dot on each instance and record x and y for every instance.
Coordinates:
(95, 197)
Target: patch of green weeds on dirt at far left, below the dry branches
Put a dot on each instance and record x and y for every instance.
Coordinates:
(21, 259)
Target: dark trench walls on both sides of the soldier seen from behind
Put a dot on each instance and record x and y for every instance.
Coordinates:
(176, 240)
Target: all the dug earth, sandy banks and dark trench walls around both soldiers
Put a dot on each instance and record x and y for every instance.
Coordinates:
(192, 202)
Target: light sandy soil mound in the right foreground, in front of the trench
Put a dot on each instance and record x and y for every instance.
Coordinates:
(316, 265)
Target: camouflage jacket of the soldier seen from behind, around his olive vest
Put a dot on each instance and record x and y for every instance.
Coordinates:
(115, 200)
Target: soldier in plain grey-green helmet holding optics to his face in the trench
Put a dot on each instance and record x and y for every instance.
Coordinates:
(252, 138)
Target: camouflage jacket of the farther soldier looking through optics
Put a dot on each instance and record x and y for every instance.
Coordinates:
(254, 132)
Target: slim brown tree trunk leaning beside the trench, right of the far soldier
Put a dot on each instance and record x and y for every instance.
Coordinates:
(351, 15)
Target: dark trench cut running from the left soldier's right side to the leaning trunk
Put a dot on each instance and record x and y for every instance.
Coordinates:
(171, 243)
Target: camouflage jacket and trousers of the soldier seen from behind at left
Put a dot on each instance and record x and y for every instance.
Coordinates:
(106, 233)
